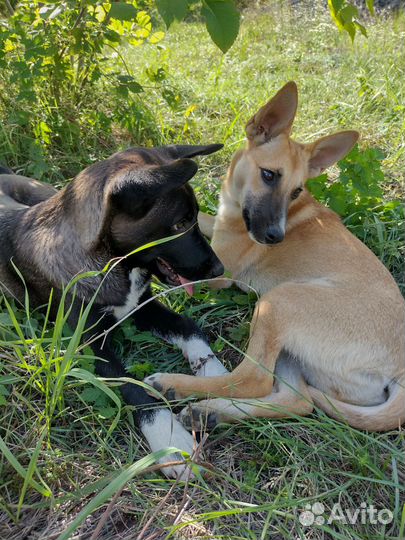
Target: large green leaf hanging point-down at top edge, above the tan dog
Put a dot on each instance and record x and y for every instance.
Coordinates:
(222, 21)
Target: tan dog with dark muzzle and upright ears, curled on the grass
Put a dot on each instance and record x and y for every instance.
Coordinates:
(329, 327)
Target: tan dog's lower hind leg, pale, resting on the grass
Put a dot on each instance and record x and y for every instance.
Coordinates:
(290, 397)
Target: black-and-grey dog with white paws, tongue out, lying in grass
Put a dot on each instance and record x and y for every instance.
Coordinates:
(112, 207)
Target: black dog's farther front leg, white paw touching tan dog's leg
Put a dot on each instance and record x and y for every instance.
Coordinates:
(184, 333)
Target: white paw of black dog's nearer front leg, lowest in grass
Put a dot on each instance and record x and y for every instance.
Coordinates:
(165, 431)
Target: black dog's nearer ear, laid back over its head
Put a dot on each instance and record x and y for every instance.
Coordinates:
(137, 187)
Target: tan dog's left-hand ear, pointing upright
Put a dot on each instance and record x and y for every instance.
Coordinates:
(274, 117)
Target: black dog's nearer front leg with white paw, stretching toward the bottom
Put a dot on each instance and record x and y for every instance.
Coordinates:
(159, 426)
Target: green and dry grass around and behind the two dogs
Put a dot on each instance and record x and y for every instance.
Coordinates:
(57, 449)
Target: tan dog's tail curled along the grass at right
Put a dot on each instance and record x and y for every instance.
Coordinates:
(383, 417)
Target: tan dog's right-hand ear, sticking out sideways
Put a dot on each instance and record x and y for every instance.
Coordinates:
(328, 150)
